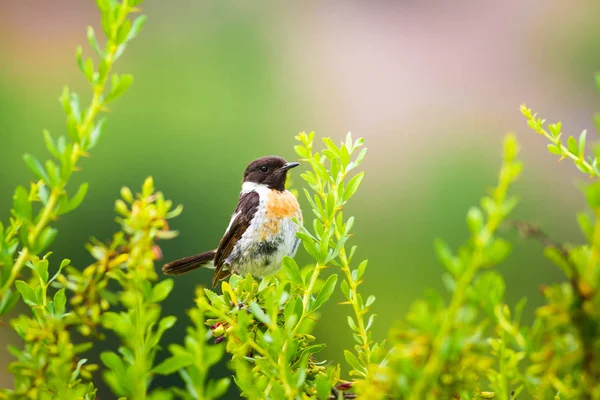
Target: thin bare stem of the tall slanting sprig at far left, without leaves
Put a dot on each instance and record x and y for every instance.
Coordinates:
(92, 112)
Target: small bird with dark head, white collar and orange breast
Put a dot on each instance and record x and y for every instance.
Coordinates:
(261, 230)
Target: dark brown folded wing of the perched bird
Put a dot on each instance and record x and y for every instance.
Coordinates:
(241, 220)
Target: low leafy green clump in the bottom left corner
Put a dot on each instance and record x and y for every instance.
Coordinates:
(46, 367)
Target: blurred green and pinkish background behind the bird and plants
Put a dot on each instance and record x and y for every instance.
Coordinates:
(432, 85)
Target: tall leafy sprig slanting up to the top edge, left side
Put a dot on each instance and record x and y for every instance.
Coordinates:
(35, 233)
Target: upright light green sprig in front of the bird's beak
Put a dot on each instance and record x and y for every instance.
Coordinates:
(333, 185)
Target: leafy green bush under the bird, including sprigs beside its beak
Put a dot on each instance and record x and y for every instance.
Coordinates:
(266, 325)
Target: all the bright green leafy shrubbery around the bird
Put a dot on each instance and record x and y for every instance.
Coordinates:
(472, 346)
